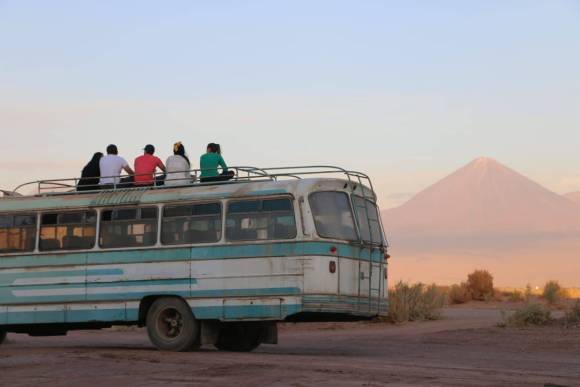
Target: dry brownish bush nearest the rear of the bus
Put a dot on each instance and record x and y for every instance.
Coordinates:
(415, 302)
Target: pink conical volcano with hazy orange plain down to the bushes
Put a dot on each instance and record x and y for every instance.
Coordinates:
(485, 215)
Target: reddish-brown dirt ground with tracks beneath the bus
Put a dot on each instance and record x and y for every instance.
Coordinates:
(465, 348)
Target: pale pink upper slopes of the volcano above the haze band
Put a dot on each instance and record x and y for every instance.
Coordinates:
(484, 197)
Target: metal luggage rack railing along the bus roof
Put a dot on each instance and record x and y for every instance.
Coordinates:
(243, 174)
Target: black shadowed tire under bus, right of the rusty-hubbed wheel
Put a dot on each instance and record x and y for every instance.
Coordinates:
(239, 337)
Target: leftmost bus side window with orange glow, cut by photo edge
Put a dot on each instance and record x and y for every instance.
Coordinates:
(17, 233)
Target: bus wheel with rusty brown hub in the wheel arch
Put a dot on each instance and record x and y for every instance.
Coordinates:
(171, 325)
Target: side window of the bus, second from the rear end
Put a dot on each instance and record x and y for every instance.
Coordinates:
(193, 223)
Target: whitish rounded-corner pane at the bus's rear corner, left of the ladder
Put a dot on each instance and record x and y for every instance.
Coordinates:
(333, 215)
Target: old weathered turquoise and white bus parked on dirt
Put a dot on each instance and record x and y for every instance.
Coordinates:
(204, 263)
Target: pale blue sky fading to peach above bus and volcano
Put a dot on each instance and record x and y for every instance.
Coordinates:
(407, 91)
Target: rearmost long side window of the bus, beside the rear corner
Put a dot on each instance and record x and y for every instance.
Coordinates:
(260, 220)
